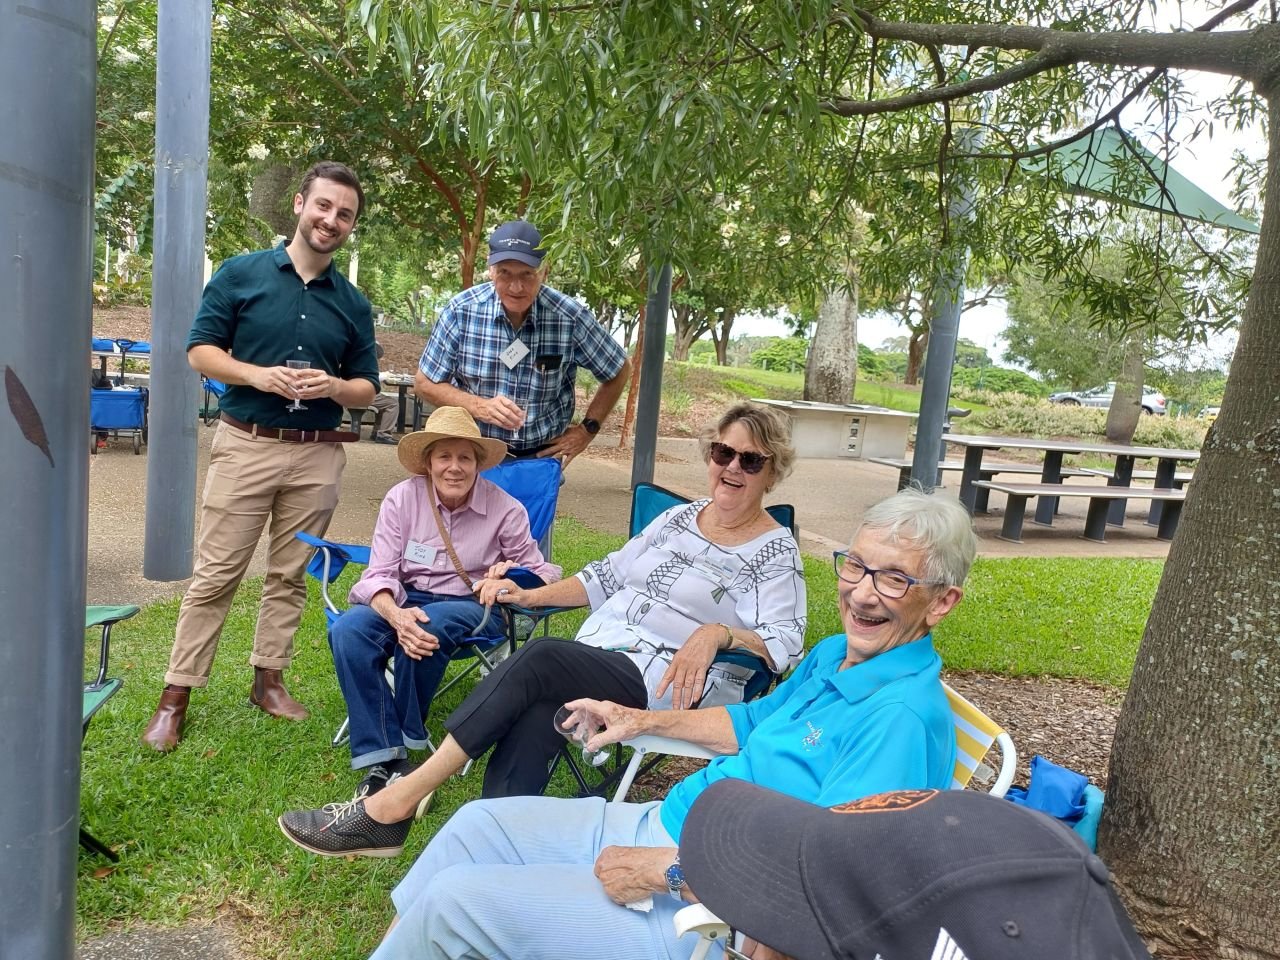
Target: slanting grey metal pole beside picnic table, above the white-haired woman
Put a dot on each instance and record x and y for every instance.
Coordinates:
(944, 331)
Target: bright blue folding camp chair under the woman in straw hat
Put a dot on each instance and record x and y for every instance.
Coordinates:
(536, 483)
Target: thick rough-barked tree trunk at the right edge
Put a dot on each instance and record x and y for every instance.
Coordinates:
(1194, 794)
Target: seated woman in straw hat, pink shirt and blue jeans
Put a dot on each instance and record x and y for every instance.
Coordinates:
(438, 533)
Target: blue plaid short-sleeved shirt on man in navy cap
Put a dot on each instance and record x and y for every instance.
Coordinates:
(561, 335)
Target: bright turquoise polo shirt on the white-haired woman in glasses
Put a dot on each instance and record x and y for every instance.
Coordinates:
(829, 735)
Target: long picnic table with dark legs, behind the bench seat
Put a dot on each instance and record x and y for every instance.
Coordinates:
(1052, 470)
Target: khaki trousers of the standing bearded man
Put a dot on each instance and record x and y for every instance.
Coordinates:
(253, 481)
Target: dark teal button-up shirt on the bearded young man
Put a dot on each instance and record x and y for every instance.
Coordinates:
(258, 308)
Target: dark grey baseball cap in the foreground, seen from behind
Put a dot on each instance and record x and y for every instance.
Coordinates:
(906, 876)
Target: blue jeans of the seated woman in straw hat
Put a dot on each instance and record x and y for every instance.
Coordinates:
(385, 726)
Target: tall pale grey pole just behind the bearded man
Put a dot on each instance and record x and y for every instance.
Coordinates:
(182, 162)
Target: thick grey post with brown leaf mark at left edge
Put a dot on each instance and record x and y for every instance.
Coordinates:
(48, 70)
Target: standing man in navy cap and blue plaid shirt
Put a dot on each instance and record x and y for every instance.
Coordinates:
(508, 351)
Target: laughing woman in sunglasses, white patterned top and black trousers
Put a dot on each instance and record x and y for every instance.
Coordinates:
(707, 577)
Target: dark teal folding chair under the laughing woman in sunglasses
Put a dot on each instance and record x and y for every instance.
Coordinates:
(647, 502)
